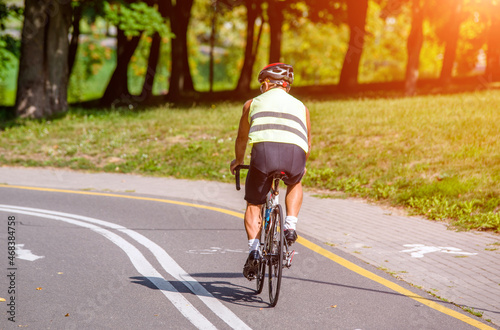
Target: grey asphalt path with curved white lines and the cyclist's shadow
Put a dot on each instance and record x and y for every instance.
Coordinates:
(107, 261)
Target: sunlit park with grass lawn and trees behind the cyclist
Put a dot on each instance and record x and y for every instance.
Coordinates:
(403, 93)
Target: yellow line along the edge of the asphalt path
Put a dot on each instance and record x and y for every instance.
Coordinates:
(308, 244)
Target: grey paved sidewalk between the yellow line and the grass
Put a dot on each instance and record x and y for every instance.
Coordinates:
(462, 267)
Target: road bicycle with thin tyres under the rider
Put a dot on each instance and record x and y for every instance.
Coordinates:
(275, 251)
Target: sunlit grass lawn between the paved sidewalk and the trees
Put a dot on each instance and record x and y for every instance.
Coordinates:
(438, 156)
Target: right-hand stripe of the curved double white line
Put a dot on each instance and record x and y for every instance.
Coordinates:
(167, 262)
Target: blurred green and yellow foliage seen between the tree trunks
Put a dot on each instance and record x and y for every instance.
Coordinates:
(315, 37)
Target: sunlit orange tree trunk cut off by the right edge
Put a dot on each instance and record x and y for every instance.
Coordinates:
(492, 72)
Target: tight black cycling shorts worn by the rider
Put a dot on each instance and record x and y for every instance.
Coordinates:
(269, 157)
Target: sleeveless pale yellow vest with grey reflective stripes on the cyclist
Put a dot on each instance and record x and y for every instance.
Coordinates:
(276, 116)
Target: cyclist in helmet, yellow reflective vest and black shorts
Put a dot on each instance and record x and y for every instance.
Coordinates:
(277, 126)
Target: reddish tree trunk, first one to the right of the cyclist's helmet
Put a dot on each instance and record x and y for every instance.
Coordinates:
(356, 17)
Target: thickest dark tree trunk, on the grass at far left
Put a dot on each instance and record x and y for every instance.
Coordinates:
(43, 67)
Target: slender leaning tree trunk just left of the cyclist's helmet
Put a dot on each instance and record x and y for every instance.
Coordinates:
(253, 11)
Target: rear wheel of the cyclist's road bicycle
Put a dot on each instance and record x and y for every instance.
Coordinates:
(275, 242)
